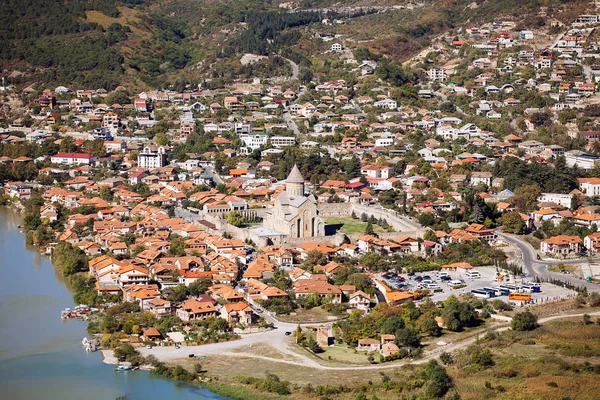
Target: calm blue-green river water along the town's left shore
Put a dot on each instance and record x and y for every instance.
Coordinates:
(41, 356)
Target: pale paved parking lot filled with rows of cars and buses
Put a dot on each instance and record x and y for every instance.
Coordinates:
(486, 280)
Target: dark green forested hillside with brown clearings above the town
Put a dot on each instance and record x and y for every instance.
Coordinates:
(149, 43)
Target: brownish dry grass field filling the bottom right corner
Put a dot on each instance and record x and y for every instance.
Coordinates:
(543, 364)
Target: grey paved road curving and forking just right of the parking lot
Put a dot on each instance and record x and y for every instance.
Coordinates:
(535, 267)
